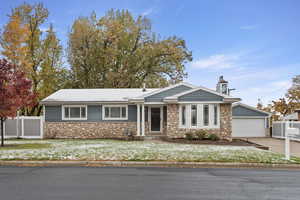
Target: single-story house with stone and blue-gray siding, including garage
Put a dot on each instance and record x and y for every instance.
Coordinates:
(169, 112)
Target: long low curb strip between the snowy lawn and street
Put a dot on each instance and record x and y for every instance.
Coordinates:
(148, 164)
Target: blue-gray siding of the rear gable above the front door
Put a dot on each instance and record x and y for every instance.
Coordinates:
(160, 96)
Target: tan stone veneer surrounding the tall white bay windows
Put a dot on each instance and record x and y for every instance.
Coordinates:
(173, 130)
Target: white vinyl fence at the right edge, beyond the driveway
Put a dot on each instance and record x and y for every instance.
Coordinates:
(279, 129)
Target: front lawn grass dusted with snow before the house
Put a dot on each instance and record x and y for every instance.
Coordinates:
(138, 151)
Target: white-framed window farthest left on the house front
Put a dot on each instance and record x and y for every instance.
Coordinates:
(74, 112)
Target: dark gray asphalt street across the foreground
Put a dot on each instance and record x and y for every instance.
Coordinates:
(83, 183)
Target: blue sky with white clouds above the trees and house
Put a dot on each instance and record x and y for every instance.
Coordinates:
(254, 44)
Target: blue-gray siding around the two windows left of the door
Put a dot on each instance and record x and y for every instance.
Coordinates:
(53, 114)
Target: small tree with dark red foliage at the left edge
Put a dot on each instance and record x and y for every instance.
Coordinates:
(15, 92)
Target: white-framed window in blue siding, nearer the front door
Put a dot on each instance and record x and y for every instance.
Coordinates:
(114, 112)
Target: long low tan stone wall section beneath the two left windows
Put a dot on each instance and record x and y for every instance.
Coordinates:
(87, 129)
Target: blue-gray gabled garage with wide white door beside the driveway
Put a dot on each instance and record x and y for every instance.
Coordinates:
(248, 121)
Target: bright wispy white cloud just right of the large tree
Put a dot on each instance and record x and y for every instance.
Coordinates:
(217, 62)
